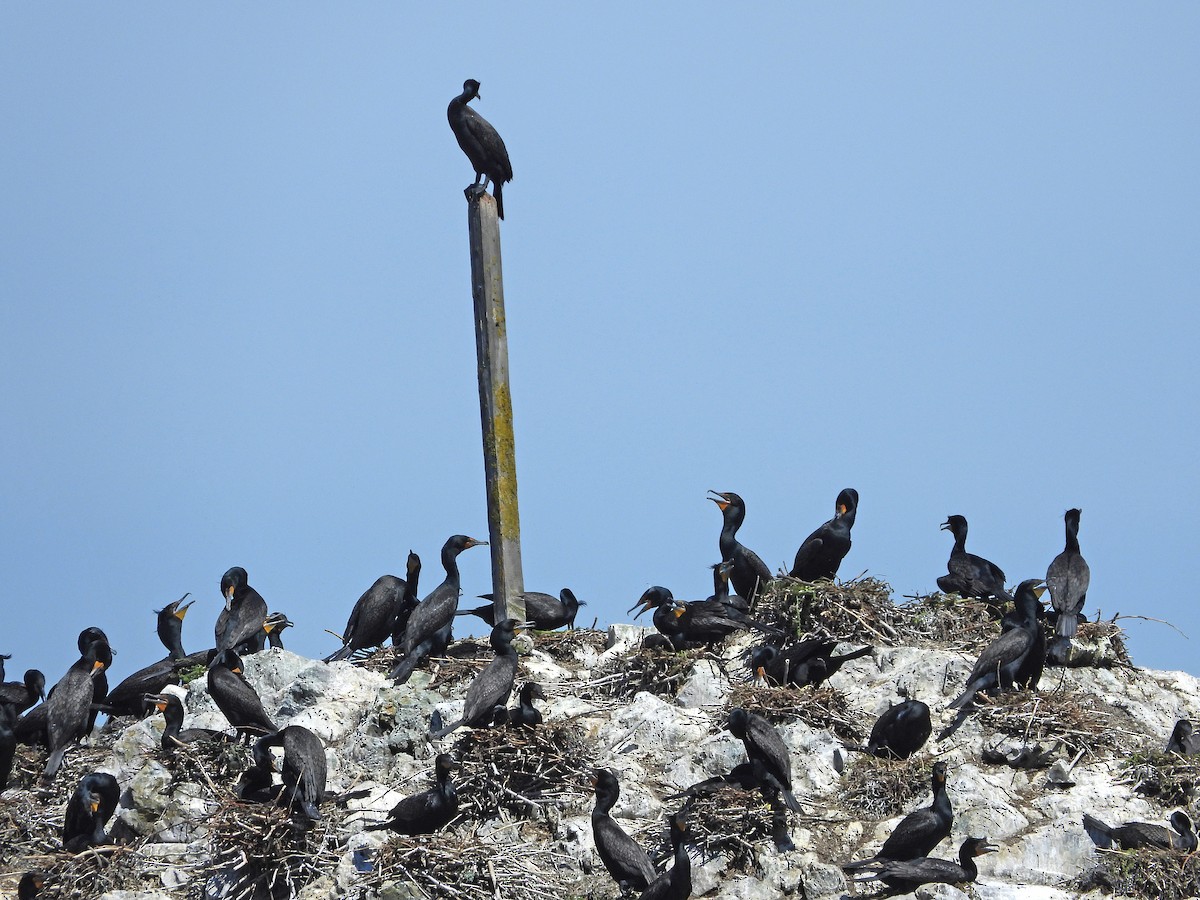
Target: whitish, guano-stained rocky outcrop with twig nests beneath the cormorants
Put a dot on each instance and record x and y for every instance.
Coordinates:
(657, 719)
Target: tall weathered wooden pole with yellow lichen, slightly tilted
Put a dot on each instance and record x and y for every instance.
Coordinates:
(496, 405)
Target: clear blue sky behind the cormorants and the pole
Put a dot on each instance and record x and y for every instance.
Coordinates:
(943, 254)
